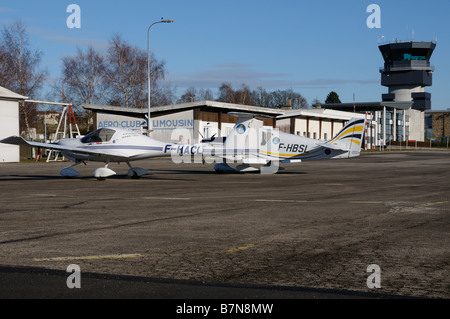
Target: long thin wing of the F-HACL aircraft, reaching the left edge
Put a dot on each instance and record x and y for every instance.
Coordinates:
(17, 140)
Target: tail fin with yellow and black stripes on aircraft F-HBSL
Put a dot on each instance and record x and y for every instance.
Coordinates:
(350, 137)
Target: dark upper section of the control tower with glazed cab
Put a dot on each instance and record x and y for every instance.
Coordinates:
(407, 71)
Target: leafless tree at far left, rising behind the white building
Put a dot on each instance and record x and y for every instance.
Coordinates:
(19, 64)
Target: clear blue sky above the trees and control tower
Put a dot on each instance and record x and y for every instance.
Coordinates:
(312, 47)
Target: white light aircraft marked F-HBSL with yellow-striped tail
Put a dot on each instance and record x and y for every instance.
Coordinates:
(250, 144)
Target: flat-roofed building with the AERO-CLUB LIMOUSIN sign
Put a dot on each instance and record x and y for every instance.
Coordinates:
(192, 121)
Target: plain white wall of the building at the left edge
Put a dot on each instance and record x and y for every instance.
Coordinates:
(9, 125)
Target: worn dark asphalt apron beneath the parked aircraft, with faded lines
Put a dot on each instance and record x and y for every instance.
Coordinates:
(184, 231)
